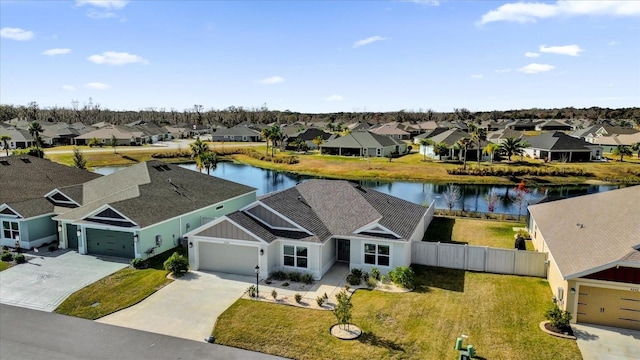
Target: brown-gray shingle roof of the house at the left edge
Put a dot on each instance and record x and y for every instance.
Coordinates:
(24, 184)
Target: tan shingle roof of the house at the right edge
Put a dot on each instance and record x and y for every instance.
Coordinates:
(586, 232)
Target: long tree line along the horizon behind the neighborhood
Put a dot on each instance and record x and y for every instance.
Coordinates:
(91, 113)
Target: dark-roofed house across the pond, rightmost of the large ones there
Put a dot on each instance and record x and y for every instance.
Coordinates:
(558, 146)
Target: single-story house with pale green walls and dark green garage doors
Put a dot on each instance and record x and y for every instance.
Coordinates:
(142, 210)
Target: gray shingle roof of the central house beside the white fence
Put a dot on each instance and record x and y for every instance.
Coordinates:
(329, 208)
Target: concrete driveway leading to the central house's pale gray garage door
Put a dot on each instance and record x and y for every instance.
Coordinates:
(186, 308)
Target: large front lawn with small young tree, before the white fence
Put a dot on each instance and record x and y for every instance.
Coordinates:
(499, 313)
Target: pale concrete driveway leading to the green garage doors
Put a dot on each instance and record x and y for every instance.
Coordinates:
(46, 280)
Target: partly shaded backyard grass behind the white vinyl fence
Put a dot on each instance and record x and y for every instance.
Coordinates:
(476, 232)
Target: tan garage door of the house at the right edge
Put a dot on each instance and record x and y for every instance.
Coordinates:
(600, 306)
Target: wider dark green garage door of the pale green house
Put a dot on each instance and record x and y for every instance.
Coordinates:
(110, 243)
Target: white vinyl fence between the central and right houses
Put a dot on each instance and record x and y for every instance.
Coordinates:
(480, 258)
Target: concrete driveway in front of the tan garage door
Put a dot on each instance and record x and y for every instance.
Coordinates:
(607, 343)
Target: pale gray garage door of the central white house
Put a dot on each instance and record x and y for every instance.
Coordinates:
(226, 258)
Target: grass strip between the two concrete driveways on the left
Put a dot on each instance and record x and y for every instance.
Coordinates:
(120, 290)
